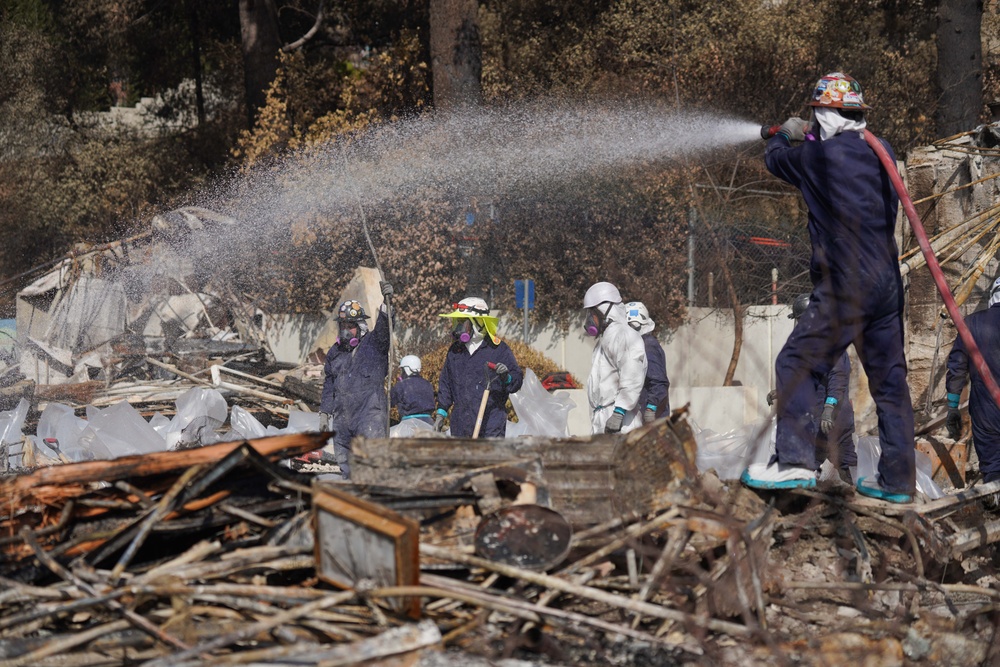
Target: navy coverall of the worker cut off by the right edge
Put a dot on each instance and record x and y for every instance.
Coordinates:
(983, 412)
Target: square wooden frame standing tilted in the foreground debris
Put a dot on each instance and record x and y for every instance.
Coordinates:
(357, 539)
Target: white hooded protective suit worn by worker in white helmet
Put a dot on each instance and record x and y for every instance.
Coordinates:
(617, 373)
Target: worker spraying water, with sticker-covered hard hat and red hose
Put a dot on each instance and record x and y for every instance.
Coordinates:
(852, 196)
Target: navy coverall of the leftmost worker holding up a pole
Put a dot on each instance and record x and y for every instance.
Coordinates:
(354, 391)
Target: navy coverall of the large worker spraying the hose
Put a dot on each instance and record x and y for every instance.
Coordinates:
(857, 297)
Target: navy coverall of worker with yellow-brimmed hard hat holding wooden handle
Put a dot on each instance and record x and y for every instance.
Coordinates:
(463, 381)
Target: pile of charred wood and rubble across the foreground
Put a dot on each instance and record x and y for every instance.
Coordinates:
(222, 554)
